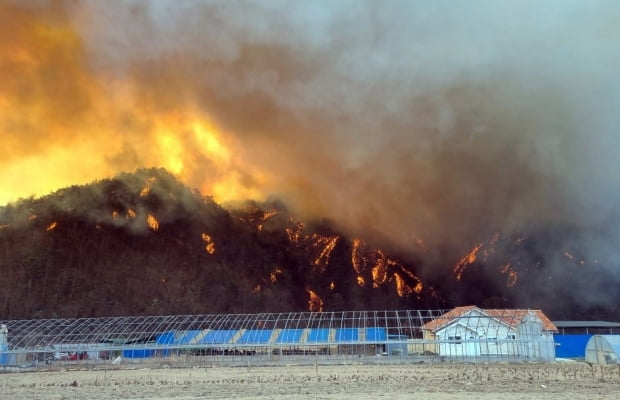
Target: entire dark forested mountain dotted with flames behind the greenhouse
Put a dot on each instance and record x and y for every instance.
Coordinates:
(142, 243)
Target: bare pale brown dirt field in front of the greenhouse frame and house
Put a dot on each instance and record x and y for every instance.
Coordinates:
(573, 381)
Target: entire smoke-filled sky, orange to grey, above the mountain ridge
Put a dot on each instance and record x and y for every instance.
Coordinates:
(443, 122)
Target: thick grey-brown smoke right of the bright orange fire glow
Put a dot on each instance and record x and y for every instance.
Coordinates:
(443, 121)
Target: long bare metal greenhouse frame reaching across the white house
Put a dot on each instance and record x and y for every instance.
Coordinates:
(264, 338)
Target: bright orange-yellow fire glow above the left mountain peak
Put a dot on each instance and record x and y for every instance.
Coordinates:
(58, 105)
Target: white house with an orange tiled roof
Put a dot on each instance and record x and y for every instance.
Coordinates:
(470, 331)
